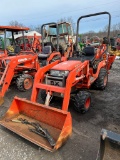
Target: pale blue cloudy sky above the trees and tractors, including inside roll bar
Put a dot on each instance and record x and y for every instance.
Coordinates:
(37, 12)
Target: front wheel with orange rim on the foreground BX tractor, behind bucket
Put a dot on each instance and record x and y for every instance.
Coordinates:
(82, 101)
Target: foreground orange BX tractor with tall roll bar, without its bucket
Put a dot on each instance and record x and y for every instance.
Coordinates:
(72, 78)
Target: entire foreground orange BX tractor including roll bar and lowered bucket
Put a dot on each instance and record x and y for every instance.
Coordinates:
(67, 78)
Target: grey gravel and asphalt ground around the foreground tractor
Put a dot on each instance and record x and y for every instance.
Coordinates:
(84, 142)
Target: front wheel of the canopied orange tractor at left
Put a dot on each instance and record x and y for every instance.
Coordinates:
(24, 82)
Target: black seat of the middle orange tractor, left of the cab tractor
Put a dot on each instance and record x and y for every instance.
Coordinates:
(46, 51)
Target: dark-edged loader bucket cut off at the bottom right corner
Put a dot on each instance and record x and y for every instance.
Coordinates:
(109, 145)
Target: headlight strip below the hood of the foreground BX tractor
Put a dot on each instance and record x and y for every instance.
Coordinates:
(59, 73)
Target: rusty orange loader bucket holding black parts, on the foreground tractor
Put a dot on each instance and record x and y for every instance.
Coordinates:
(57, 122)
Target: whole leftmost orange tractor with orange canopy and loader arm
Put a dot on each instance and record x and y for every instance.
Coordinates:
(16, 65)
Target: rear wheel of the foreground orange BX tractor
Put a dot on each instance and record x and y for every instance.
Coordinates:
(102, 80)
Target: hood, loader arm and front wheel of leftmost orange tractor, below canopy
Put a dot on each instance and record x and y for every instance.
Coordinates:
(19, 69)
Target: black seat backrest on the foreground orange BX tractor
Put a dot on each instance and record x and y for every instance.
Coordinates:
(89, 51)
